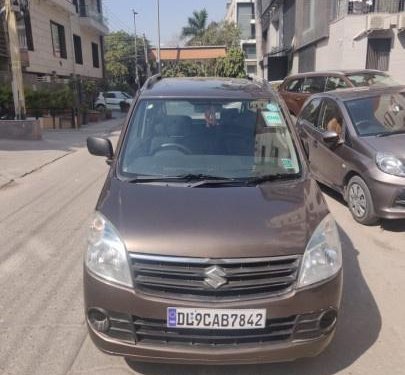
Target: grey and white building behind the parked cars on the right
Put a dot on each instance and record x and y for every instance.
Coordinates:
(301, 36)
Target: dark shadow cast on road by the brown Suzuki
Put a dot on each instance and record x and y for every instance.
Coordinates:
(358, 329)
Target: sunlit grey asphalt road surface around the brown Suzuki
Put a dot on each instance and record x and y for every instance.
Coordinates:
(43, 224)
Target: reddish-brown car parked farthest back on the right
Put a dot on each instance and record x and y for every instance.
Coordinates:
(297, 88)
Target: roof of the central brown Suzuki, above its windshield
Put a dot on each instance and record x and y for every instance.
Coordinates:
(218, 88)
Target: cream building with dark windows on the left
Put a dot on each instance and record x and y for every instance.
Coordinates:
(60, 38)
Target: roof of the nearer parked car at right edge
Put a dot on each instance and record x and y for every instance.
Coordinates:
(360, 92)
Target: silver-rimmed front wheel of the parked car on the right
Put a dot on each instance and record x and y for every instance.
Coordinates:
(360, 202)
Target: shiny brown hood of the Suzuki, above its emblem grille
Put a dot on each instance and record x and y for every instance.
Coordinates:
(274, 219)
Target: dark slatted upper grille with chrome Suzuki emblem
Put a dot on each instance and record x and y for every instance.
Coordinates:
(214, 279)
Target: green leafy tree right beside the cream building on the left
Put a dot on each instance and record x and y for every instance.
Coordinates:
(120, 59)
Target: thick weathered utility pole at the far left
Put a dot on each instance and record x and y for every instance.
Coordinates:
(15, 58)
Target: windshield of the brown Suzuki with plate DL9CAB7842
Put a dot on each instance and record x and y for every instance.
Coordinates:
(216, 138)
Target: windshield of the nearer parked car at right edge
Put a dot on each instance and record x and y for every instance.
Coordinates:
(378, 115)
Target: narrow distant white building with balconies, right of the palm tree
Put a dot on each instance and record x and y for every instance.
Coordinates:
(242, 13)
